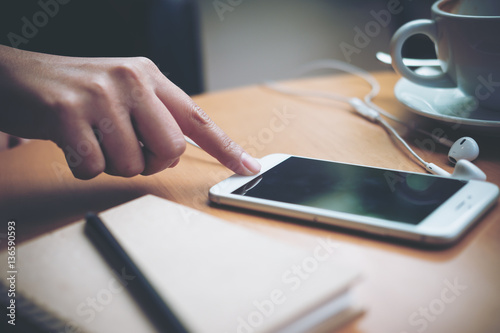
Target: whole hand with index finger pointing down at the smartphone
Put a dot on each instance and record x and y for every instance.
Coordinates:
(121, 116)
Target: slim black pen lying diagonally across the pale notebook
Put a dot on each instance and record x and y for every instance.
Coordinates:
(107, 242)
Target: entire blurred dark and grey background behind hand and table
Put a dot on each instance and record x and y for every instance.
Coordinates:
(207, 45)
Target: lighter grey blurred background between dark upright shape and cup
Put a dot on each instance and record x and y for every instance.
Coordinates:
(260, 39)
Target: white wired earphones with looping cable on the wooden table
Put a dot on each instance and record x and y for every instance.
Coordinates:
(461, 153)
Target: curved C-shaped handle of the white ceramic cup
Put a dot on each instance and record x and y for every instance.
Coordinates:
(426, 27)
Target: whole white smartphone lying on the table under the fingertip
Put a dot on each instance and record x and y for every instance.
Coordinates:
(413, 206)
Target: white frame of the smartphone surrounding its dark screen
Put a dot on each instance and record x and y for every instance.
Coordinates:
(445, 225)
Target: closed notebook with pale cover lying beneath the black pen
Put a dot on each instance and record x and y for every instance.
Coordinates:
(216, 276)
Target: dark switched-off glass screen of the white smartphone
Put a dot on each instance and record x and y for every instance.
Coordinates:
(385, 194)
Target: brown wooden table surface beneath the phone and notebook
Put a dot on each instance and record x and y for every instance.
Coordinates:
(405, 288)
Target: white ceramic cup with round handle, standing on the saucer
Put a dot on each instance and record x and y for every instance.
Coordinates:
(466, 34)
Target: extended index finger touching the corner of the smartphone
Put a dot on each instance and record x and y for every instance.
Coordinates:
(197, 125)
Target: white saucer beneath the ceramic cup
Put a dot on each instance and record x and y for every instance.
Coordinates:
(449, 105)
